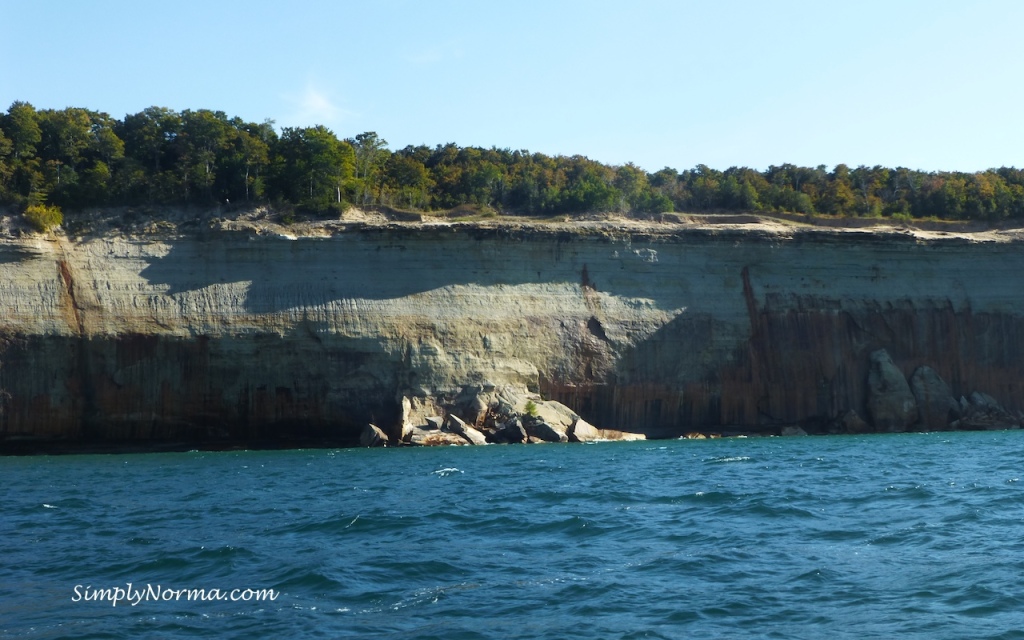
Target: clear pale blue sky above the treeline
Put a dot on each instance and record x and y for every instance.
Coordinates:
(929, 84)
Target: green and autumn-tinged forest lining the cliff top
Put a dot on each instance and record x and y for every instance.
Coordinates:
(73, 159)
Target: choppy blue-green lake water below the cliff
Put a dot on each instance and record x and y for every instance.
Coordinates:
(913, 536)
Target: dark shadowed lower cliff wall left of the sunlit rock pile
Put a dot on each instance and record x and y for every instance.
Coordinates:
(260, 389)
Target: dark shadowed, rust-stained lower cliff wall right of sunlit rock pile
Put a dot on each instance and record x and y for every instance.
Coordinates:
(805, 363)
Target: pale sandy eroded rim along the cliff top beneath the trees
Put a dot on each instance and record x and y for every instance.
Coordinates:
(181, 224)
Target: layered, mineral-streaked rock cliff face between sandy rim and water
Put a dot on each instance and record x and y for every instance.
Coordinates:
(237, 334)
